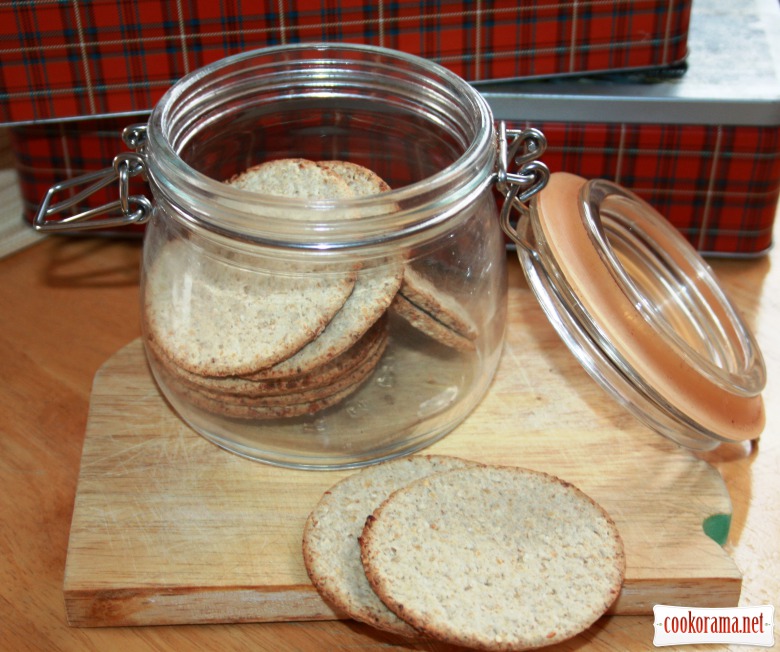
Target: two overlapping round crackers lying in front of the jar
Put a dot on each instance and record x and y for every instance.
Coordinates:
(489, 557)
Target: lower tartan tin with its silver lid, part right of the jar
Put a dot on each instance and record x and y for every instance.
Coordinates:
(704, 150)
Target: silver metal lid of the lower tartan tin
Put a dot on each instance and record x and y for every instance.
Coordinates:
(733, 78)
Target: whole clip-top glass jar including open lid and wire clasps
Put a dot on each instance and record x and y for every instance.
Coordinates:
(330, 333)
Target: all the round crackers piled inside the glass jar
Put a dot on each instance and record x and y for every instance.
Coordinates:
(263, 344)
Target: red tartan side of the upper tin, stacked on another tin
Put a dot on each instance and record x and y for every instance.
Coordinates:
(98, 57)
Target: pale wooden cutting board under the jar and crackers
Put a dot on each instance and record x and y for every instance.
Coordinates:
(169, 529)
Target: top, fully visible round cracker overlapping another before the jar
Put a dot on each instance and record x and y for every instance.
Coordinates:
(494, 558)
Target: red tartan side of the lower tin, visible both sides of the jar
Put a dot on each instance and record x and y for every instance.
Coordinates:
(719, 185)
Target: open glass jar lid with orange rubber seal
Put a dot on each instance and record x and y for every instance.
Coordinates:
(642, 312)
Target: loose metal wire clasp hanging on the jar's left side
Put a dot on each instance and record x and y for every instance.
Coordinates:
(133, 209)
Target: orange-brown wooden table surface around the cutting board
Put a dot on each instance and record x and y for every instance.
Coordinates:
(68, 304)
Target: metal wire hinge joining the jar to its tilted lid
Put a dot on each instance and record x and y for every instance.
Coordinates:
(523, 148)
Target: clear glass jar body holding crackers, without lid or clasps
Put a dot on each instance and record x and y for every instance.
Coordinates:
(323, 332)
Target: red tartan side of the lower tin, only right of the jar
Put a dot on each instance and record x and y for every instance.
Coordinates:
(719, 185)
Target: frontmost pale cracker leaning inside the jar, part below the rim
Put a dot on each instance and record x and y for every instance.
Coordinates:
(214, 318)
